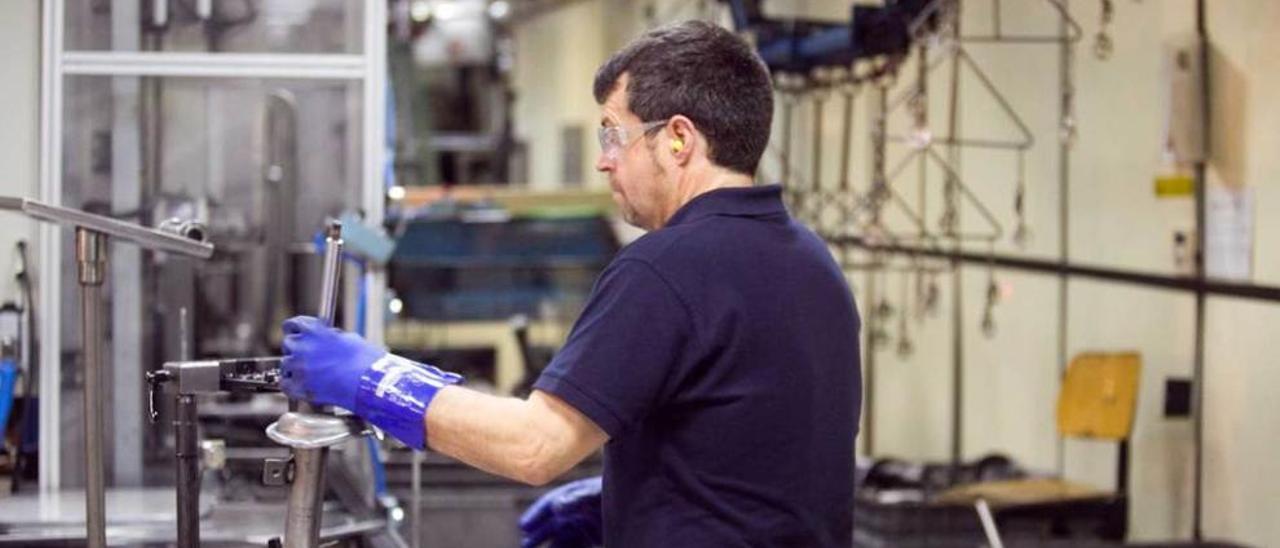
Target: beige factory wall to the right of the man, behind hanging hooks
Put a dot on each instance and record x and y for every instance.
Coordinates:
(1011, 380)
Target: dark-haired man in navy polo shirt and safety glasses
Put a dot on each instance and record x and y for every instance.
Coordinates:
(717, 359)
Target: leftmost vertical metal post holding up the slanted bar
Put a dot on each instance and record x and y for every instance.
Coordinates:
(92, 263)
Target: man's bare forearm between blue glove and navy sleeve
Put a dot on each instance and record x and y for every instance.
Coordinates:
(532, 441)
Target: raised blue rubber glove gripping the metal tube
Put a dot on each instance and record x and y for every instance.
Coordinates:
(333, 368)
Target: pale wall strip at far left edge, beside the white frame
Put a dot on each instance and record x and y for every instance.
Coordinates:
(20, 131)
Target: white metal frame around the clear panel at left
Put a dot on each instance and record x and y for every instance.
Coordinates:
(369, 67)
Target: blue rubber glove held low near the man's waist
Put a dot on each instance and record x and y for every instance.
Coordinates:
(568, 517)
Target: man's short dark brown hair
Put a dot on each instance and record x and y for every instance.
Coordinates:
(706, 74)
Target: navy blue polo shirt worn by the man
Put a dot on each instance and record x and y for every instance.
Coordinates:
(721, 357)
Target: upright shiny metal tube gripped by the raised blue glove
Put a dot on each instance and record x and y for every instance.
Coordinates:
(307, 492)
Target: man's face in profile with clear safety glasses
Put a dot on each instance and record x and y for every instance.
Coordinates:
(639, 185)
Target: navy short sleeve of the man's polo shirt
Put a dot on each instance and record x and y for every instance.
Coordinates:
(630, 340)
